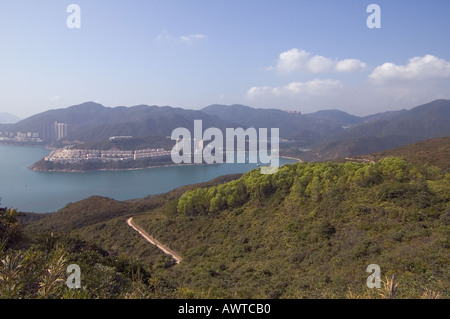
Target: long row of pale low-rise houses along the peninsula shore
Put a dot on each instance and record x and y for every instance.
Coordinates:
(70, 156)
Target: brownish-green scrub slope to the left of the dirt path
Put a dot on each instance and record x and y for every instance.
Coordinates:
(34, 259)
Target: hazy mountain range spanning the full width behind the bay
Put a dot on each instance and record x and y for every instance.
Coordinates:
(321, 131)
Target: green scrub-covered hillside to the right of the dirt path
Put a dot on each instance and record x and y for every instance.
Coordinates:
(311, 230)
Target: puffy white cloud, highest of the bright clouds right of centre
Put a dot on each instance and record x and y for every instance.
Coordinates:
(296, 60)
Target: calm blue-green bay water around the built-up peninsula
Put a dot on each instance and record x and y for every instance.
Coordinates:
(41, 192)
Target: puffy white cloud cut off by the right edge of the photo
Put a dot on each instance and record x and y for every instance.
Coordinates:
(418, 68)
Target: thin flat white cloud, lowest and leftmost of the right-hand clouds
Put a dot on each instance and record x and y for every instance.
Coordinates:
(295, 89)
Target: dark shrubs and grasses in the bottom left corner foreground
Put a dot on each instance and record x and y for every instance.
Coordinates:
(34, 265)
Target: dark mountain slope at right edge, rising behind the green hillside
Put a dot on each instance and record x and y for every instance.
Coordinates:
(425, 121)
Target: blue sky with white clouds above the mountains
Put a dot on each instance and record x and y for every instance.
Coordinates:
(288, 54)
